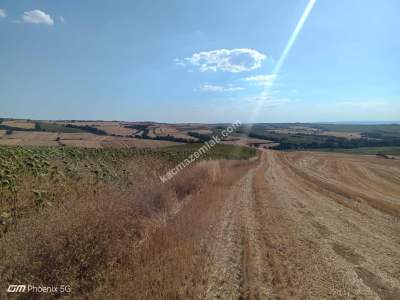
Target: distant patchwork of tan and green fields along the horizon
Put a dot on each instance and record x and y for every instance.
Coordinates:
(97, 134)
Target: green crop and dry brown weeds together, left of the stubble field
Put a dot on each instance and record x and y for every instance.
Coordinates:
(81, 214)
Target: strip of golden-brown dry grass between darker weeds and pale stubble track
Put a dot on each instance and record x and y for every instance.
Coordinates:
(171, 263)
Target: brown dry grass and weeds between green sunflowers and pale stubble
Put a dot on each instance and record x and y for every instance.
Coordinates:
(108, 242)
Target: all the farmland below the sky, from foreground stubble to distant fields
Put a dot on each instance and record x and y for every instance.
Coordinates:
(239, 223)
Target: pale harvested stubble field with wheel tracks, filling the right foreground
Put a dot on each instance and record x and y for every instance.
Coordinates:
(309, 225)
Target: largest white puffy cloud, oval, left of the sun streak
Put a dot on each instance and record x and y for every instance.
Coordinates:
(225, 60)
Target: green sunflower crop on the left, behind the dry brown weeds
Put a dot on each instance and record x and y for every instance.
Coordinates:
(48, 166)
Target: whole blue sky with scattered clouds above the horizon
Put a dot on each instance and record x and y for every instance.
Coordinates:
(200, 61)
